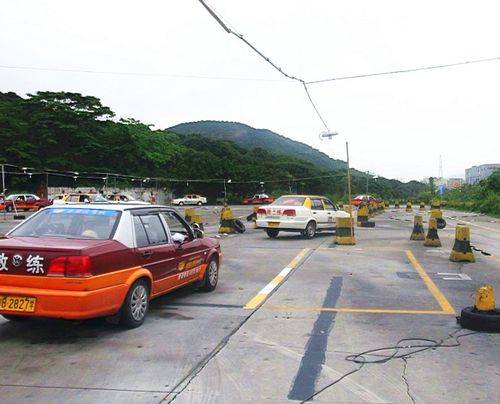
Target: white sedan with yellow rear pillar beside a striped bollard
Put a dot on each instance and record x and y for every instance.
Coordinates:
(306, 214)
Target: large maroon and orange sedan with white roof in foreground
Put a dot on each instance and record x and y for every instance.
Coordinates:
(101, 260)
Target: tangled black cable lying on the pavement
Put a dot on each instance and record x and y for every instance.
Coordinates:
(404, 344)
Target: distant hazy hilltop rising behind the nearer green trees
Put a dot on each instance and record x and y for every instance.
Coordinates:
(250, 138)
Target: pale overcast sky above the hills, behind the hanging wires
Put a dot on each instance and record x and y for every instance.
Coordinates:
(397, 126)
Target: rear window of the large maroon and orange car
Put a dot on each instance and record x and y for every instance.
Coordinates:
(97, 224)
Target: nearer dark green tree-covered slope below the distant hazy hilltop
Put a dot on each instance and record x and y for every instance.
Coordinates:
(75, 133)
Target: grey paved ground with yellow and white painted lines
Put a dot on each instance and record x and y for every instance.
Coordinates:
(261, 337)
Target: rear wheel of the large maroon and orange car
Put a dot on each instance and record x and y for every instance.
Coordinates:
(136, 304)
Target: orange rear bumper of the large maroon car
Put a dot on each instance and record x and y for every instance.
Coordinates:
(69, 304)
